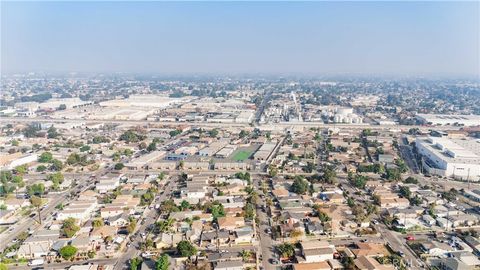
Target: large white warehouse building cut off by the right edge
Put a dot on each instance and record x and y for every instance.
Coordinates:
(450, 157)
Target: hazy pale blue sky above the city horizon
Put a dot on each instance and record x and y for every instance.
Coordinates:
(241, 37)
